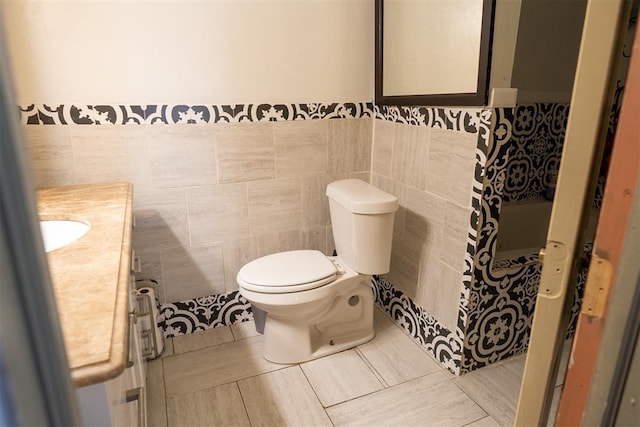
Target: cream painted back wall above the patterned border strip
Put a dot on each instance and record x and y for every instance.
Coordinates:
(214, 51)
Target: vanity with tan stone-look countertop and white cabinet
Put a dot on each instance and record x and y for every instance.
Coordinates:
(95, 293)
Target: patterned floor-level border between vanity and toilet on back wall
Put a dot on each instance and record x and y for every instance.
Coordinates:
(199, 314)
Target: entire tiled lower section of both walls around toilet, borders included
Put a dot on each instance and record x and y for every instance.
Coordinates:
(218, 186)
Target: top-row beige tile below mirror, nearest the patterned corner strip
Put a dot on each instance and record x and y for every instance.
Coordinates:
(451, 165)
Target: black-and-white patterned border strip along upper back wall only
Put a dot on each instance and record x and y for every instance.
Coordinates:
(117, 114)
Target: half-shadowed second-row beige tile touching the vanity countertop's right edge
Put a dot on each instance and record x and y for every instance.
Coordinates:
(161, 219)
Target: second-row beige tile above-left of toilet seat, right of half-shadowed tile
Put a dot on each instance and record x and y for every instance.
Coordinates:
(217, 212)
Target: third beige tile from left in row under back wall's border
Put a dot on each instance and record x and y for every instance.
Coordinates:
(182, 155)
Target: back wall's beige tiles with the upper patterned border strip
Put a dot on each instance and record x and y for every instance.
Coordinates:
(215, 186)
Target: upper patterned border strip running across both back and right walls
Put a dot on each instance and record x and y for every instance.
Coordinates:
(467, 120)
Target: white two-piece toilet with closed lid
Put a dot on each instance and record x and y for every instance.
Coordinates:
(315, 304)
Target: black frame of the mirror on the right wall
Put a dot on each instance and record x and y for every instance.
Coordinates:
(478, 98)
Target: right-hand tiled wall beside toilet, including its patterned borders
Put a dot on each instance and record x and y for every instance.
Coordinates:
(433, 161)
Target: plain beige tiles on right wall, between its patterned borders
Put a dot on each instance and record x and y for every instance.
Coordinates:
(431, 171)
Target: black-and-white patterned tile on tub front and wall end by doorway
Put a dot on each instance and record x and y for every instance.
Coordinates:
(503, 294)
